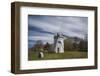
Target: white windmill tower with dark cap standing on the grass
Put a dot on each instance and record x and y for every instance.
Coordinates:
(59, 42)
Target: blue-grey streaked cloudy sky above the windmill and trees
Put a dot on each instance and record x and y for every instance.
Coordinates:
(43, 28)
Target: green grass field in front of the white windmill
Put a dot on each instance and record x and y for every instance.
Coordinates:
(65, 55)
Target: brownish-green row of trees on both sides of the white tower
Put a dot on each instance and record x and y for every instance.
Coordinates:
(75, 44)
